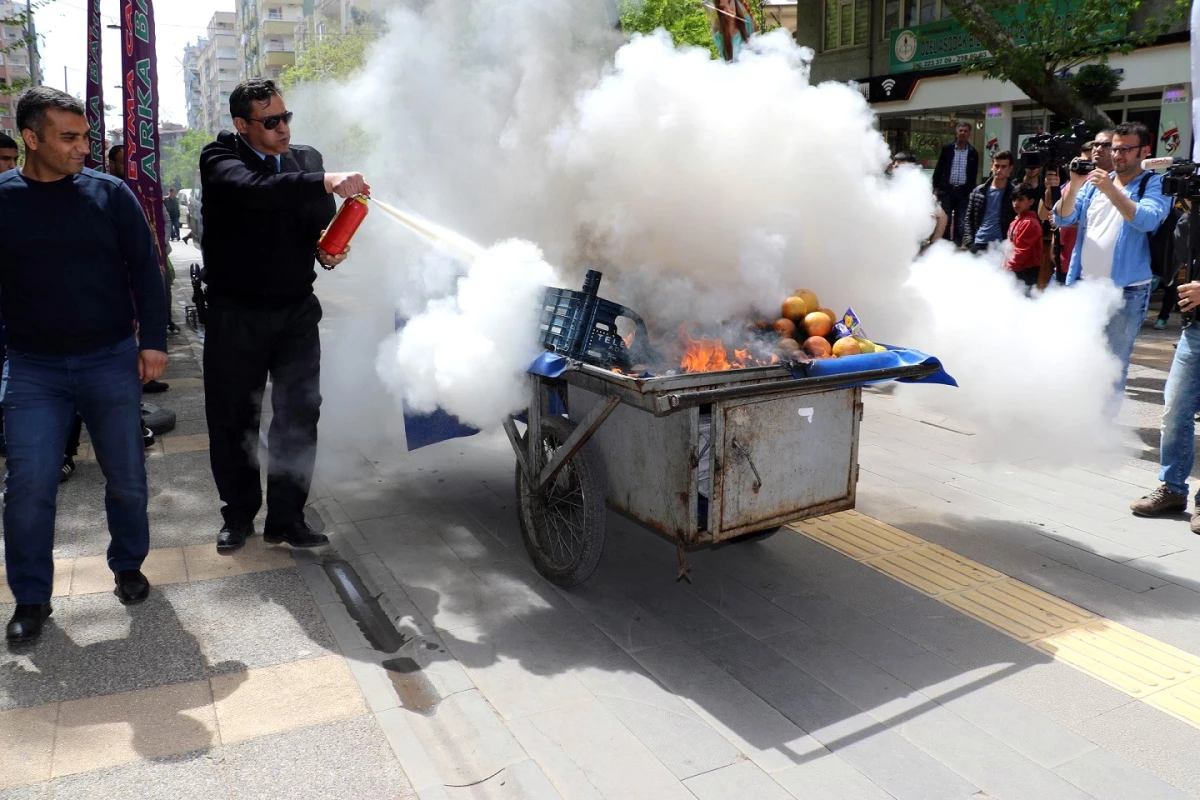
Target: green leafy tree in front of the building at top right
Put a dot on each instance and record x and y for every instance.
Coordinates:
(1034, 44)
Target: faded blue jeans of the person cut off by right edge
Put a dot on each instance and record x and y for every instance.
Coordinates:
(1183, 401)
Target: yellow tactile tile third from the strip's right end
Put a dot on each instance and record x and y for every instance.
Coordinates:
(1019, 610)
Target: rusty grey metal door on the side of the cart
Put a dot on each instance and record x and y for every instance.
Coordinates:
(783, 459)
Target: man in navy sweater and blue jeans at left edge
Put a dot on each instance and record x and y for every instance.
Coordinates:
(81, 292)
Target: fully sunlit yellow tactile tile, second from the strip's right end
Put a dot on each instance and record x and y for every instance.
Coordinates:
(1120, 657)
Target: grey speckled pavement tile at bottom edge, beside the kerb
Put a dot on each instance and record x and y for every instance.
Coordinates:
(339, 760)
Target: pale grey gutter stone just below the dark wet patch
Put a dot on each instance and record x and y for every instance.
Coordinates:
(465, 738)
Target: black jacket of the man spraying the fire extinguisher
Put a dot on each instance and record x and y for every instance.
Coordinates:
(261, 228)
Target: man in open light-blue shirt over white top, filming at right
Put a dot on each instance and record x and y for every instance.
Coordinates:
(1115, 214)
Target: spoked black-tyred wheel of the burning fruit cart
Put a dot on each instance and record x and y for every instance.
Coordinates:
(563, 530)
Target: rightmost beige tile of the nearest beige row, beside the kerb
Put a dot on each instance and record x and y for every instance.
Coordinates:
(287, 697)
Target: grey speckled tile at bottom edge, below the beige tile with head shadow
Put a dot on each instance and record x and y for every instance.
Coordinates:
(188, 775)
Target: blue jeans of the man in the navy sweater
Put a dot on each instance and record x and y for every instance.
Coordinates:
(40, 398)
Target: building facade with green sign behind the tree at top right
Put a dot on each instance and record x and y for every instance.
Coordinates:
(905, 57)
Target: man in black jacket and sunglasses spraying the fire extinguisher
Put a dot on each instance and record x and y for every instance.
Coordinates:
(266, 204)
